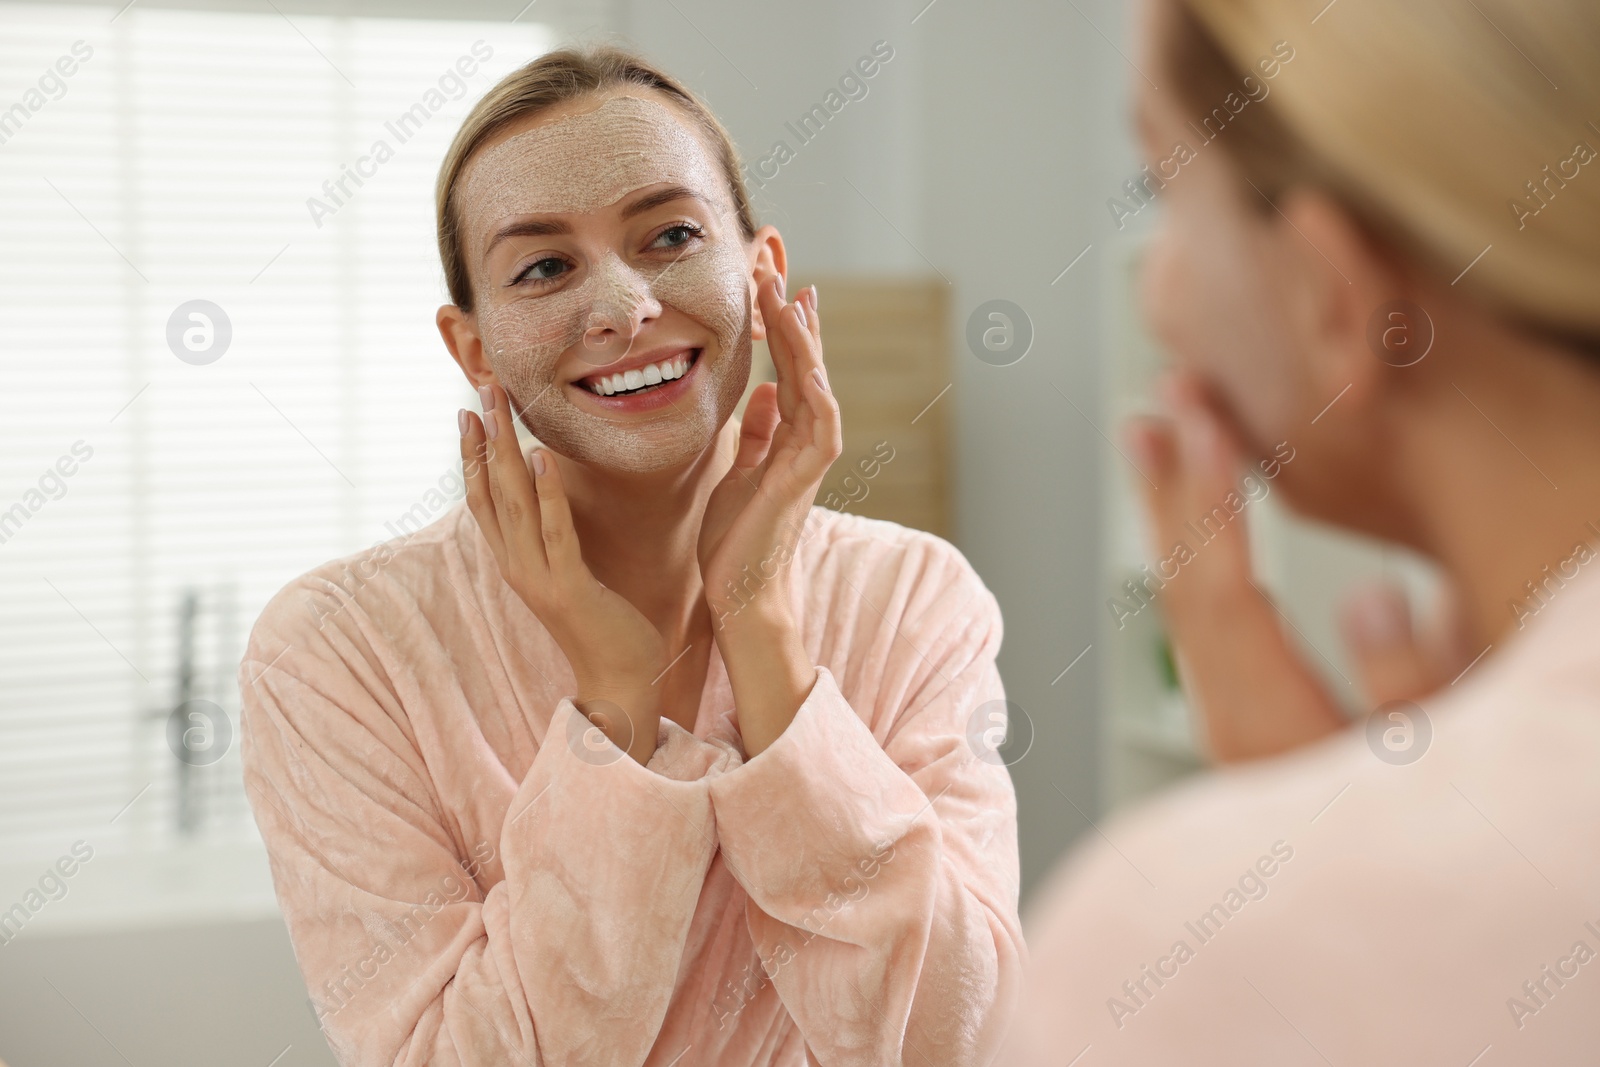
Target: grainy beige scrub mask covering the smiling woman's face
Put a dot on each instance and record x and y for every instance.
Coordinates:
(583, 164)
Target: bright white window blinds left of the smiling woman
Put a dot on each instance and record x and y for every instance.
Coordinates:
(174, 164)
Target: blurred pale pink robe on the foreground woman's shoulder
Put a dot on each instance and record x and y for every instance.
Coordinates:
(1332, 908)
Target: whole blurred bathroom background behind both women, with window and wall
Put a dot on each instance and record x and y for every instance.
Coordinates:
(218, 282)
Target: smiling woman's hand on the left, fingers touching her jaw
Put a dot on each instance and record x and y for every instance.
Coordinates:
(615, 653)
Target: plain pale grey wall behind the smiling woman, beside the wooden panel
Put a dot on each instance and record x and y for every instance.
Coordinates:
(991, 143)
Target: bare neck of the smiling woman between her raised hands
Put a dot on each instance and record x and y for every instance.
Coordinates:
(639, 533)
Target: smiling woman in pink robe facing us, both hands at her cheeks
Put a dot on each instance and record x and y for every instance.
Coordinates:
(636, 757)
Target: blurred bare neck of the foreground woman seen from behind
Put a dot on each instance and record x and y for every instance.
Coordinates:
(1505, 473)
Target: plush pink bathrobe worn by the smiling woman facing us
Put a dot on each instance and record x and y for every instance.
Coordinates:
(474, 876)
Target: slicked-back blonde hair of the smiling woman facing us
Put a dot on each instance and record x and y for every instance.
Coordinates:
(550, 81)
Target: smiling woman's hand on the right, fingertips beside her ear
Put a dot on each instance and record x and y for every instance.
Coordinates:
(756, 518)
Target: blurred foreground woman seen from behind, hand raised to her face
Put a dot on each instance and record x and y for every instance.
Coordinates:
(1378, 273)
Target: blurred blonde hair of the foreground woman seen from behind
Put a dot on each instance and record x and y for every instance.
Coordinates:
(1434, 121)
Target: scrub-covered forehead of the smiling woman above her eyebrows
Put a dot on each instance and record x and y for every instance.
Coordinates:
(588, 159)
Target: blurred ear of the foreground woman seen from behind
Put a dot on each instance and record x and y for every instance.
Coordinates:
(1335, 278)
